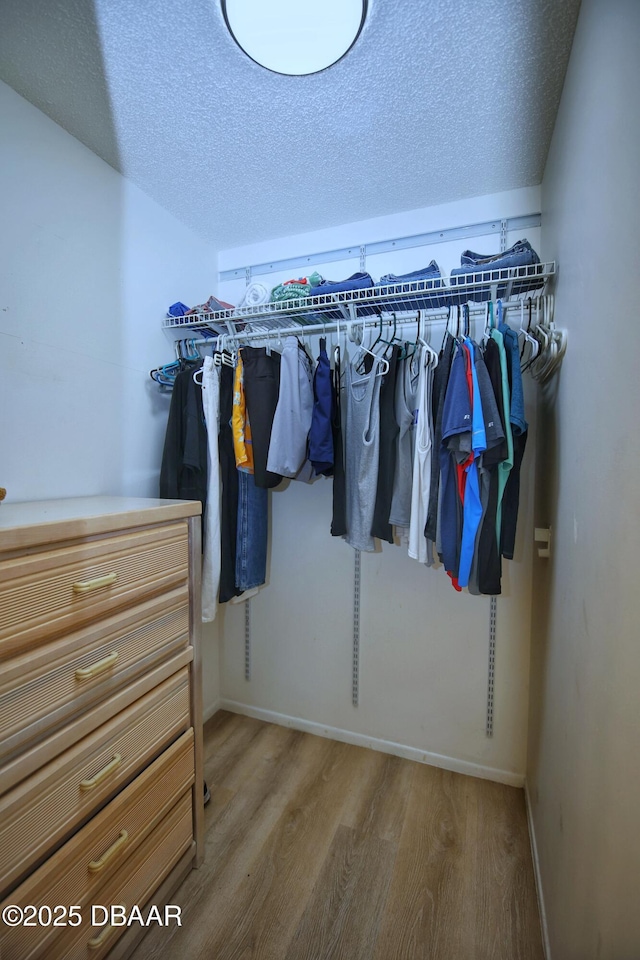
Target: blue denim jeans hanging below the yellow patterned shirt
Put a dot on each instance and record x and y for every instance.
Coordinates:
(253, 525)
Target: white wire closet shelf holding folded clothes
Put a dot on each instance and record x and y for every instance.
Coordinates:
(327, 313)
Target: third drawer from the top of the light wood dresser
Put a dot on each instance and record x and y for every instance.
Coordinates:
(44, 808)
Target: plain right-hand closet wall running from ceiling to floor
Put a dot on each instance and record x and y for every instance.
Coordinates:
(584, 772)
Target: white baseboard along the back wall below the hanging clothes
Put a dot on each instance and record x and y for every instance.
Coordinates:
(384, 746)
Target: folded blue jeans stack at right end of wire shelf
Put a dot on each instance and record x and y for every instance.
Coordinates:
(521, 260)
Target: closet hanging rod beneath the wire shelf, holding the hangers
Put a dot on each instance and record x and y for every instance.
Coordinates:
(324, 329)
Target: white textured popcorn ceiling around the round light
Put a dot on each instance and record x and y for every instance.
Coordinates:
(437, 101)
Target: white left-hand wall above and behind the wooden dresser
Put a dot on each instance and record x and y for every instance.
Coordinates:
(89, 265)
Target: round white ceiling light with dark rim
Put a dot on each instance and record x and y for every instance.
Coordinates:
(295, 37)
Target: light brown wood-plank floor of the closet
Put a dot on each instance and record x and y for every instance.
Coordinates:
(317, 850)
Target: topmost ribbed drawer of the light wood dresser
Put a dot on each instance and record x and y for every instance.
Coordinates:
(46, 593)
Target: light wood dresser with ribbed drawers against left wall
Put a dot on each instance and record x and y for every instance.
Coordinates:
(101, 779)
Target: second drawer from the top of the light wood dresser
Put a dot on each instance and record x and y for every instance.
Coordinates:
(42, 689)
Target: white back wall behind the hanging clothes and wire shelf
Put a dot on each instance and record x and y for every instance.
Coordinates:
(424, 648)
